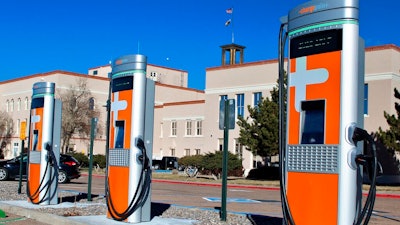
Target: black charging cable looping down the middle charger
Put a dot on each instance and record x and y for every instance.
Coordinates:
(137, 200)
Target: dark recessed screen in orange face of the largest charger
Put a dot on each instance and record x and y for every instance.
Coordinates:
(313, 122)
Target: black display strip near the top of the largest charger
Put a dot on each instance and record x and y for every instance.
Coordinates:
(315, 43)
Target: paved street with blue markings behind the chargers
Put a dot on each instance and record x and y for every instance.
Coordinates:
(256, 201)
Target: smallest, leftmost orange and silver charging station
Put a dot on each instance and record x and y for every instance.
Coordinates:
(44, 145)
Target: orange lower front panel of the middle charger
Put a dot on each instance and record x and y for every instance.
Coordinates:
(118, 178)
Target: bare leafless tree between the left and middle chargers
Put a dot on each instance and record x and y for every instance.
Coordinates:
(77, 110)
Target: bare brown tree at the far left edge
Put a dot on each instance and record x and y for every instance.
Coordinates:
(6, 132)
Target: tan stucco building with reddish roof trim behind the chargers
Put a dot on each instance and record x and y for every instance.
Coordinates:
(186, 120)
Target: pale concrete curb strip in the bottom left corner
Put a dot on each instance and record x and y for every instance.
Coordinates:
(46, 218)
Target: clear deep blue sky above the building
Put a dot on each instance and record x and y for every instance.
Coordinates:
(41, 36)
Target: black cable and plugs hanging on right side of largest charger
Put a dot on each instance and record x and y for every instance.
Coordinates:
(370, 162)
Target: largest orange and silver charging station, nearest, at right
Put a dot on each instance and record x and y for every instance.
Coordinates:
(321, 177)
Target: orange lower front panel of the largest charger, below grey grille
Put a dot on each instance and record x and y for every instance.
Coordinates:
(313, 198)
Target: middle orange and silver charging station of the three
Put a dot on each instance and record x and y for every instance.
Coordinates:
(130, 141)
